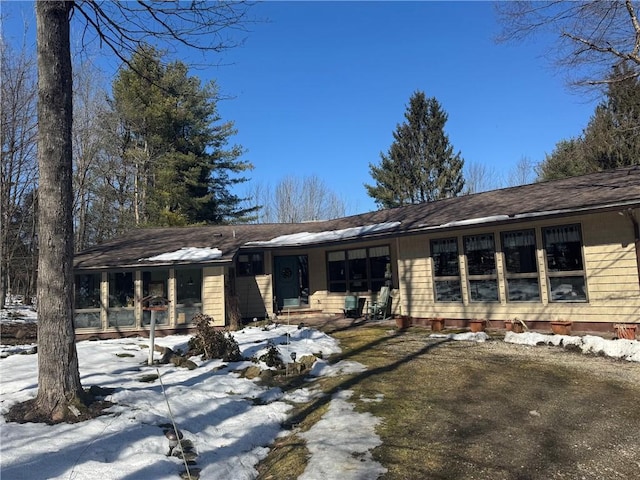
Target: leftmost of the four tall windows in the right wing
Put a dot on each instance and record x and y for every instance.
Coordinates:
(446, 270)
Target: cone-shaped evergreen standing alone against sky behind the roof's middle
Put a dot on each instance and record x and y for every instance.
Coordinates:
(420, 165)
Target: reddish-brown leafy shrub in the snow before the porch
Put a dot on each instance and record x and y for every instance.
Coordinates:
(211, 343)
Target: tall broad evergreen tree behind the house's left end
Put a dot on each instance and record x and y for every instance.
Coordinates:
(177, 144)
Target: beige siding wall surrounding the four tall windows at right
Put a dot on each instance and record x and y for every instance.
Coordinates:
(610, 268)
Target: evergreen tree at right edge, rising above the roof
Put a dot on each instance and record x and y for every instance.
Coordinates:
(610, 140)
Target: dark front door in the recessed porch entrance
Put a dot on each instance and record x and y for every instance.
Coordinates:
(291, 280)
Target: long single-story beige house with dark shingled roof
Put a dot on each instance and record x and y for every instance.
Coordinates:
(565, 250)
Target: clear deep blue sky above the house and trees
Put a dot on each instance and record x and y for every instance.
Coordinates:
(319, 88)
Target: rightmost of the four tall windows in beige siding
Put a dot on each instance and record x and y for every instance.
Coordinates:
(565, 267)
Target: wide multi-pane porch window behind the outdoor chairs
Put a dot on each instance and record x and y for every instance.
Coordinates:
(359, 270)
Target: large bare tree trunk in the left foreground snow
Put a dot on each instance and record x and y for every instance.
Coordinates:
(58, 374)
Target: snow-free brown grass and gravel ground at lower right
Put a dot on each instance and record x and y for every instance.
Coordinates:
(466, 410)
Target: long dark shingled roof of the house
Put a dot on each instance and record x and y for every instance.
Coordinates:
(604, 190)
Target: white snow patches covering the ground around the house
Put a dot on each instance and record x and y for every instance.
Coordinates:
(230, 420)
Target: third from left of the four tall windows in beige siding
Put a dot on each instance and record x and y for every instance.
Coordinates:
(519, 249)
